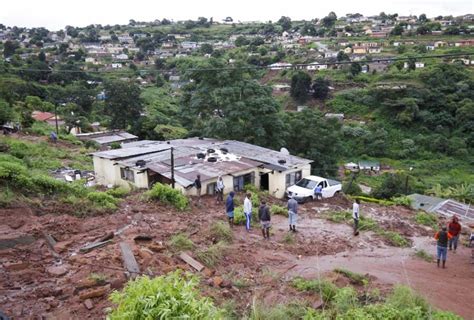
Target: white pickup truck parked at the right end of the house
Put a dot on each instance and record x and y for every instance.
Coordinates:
(304, 190)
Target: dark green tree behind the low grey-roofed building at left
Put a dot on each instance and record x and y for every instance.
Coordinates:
(123, 103)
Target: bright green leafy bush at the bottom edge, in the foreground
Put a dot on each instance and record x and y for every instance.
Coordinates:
(173, 296)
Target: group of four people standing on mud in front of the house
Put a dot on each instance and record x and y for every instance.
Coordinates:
(264, 215)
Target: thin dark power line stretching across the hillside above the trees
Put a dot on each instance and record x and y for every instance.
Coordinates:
(279, 67)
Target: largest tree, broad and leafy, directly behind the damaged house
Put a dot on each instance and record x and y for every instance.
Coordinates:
(230, 104)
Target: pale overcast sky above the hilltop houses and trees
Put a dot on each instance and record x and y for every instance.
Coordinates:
(54, 14)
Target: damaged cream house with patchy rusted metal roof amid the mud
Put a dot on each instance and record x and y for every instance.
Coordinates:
(143, 163)
